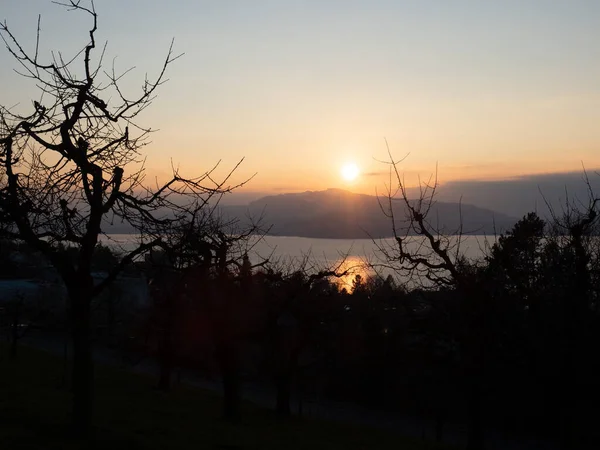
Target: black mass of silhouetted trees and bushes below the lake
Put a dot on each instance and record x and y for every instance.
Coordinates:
(509, 349)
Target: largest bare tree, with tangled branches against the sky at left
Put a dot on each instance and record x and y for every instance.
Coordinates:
(72, 165)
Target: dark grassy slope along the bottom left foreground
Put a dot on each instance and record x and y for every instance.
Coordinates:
(129, 413)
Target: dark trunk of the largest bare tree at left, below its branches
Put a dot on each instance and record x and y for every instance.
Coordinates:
(83, 365)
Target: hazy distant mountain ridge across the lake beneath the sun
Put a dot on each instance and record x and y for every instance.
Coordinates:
(340, 214)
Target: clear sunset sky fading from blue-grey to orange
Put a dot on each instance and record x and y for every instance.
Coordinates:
(485, 90)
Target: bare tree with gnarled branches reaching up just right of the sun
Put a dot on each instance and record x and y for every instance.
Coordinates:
(424, 254)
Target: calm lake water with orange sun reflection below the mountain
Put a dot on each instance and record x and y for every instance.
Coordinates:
(352, 255)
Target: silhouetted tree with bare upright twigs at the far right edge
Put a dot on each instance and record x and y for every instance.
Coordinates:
(574, 233)
